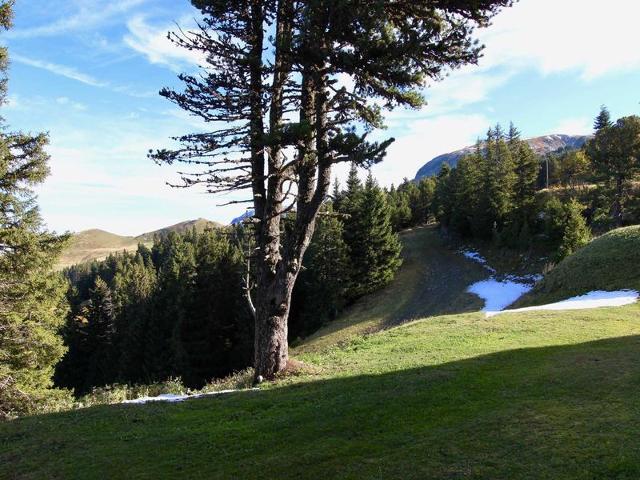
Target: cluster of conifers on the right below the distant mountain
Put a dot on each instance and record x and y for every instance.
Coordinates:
(497, 193)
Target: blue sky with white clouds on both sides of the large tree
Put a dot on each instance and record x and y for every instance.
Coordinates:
(89, 71)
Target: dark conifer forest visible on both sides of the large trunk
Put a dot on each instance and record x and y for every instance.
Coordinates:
(177, 309)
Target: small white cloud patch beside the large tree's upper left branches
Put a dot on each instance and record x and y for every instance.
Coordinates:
(152, 42)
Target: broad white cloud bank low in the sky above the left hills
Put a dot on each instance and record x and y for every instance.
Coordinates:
(121, 189)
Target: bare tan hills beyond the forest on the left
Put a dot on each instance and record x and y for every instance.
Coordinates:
(97, 244)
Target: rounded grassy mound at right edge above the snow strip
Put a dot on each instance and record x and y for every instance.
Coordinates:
(610, 262)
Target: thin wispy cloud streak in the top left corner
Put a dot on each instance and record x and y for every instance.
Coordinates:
(90, 14)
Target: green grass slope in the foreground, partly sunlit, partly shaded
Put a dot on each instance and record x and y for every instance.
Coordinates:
(535, 395)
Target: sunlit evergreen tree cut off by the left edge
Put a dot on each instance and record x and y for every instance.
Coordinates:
(32, 306)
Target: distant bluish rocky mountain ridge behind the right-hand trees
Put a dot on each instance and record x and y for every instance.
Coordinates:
(540, 145)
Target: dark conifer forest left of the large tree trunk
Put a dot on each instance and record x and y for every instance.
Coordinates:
(175, 309)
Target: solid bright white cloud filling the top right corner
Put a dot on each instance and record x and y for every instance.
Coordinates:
(554, 36)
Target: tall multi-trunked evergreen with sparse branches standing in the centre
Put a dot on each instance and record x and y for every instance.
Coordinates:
(252, 82)
